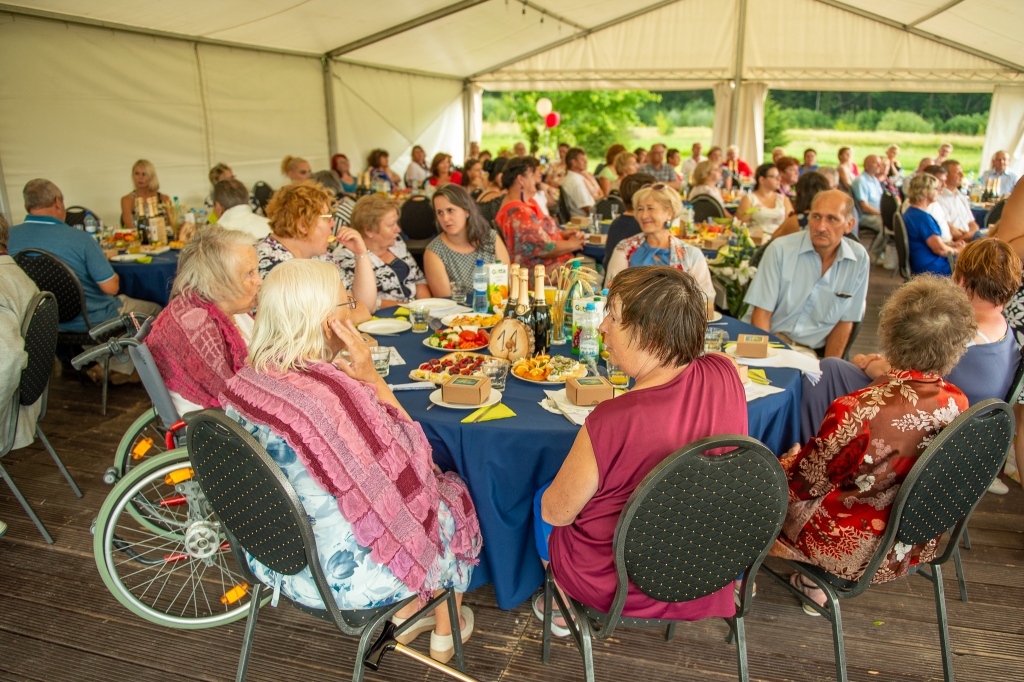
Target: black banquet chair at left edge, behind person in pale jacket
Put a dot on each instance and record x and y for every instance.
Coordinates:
(40, 334)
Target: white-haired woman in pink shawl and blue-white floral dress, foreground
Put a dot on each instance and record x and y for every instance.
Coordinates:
(389, 524)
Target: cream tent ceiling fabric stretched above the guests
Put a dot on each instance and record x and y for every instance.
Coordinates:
(686, 44)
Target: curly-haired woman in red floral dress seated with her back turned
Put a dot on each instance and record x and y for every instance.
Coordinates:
(843, 483)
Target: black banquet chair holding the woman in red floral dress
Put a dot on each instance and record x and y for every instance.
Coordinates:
(941, 493)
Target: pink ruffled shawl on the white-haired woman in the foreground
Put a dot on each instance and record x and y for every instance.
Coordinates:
(369, 456)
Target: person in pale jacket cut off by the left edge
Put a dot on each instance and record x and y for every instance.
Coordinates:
(17, 291)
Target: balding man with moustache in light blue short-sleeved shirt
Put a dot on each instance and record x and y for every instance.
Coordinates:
(813, 286)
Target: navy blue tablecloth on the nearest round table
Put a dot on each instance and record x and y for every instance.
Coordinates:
(504, 462)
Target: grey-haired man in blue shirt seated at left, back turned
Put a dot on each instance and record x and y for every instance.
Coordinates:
(45, 229)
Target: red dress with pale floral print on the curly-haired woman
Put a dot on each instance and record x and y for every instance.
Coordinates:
(844, 482)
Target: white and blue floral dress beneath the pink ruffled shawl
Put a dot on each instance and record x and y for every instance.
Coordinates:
(357, 582)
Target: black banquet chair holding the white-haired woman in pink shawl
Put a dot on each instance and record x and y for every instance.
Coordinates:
(235, 473)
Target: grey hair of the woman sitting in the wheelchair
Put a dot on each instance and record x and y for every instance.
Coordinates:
(207, 265)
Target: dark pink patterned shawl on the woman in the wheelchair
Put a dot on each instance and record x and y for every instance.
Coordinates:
(197, 349)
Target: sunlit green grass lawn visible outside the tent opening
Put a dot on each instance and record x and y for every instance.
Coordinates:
(914, 147)
